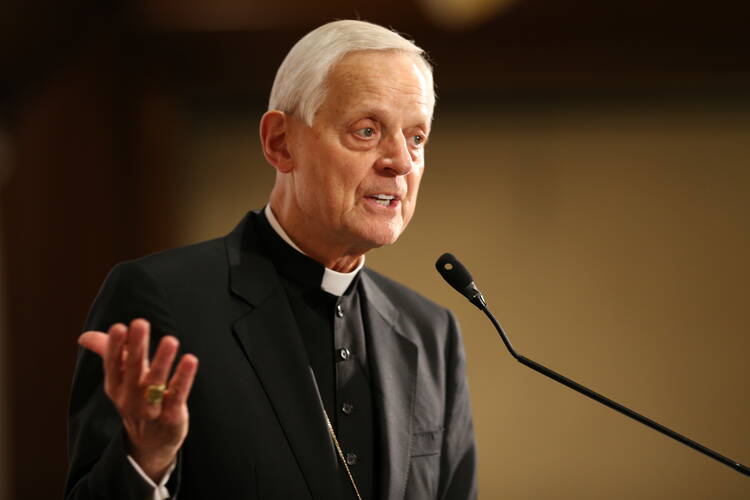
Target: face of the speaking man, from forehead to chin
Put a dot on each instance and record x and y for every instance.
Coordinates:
(357, 169)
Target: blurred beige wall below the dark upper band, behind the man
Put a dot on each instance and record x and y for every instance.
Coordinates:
(611, 240)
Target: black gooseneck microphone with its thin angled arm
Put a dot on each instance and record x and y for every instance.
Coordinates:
(459, 278)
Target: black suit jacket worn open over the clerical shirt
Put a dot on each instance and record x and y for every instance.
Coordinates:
(256, 426)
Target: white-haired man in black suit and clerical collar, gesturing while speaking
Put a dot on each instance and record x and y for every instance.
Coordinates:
(319, 378)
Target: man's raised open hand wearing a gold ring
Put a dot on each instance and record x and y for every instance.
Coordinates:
(156, 420)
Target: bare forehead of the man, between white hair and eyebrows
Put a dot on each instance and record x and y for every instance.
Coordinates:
(392, 80)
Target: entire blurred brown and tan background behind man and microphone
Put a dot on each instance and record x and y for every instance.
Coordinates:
(589, 164)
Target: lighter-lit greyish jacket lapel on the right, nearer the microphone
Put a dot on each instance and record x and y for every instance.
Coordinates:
(394, 371)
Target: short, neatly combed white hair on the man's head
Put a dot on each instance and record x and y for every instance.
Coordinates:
(300, 84)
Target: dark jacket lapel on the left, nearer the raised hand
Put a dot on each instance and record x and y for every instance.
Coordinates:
(271, 340)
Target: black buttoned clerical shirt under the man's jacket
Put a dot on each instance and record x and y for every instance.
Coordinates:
(334, 336)
